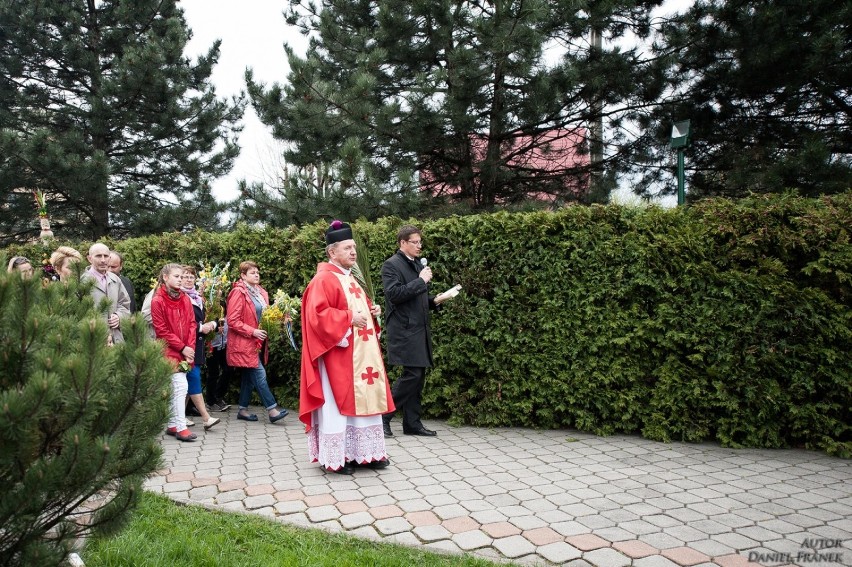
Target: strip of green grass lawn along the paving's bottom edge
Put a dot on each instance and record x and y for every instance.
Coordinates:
(162, 533)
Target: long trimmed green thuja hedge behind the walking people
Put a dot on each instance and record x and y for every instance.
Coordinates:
(726, 321)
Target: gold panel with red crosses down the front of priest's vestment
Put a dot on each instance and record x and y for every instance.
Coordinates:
(369, 377)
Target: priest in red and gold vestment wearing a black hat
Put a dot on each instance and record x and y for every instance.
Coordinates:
(344, 389)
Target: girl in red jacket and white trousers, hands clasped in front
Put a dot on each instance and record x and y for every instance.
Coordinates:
(174, 324)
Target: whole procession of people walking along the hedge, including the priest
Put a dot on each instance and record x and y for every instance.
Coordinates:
(345, 400)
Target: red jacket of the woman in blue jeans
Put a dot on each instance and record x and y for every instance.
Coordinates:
(242, 347)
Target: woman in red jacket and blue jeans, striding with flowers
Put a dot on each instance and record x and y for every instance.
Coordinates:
(247, 349)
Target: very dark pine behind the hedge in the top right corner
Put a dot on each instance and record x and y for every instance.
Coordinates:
(766, 85)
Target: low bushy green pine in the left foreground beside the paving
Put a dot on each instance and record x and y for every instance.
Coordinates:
(78, 419)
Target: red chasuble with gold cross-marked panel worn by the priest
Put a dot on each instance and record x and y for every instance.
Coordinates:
(356, 372)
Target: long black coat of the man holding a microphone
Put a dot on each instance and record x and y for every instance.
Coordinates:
(409, 338)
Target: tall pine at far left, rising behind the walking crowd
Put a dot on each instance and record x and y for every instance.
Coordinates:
(101, 110)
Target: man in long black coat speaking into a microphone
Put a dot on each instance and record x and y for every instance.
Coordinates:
(409, 339)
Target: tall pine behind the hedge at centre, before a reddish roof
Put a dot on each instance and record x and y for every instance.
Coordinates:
(395, 87)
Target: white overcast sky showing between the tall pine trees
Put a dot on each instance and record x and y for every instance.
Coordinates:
(253, 33)
